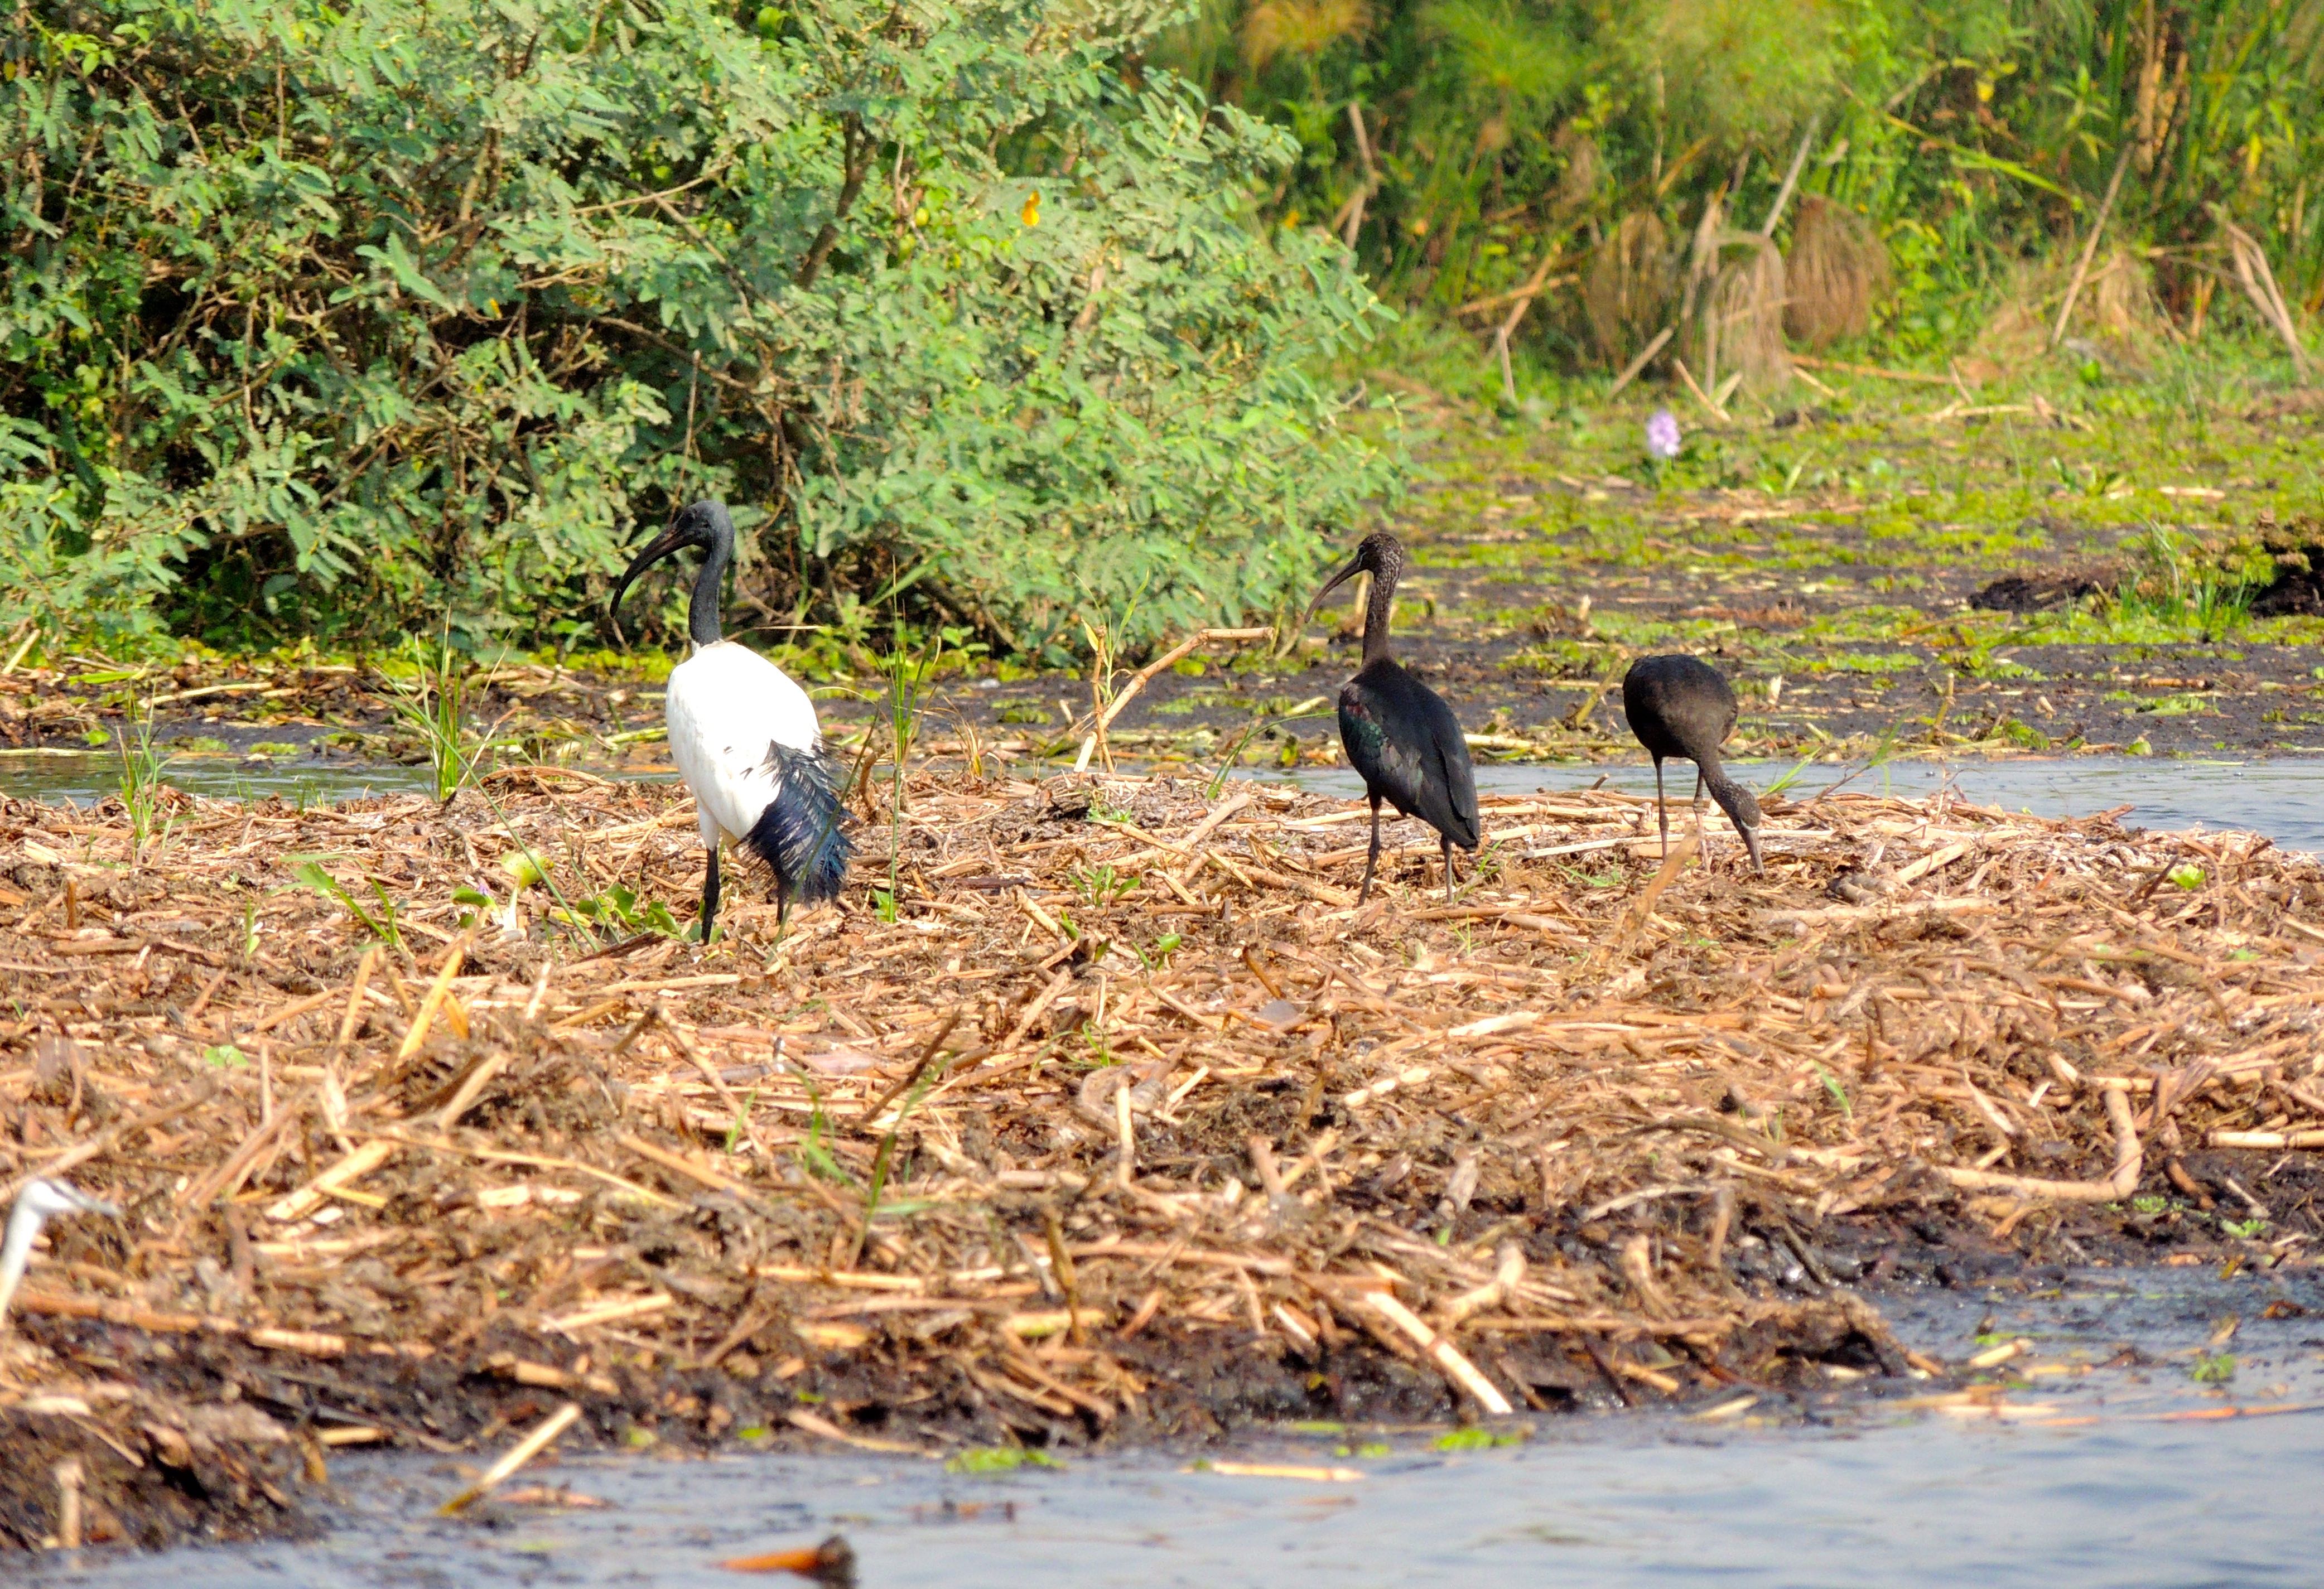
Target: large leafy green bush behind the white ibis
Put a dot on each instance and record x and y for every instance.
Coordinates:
(336, 322)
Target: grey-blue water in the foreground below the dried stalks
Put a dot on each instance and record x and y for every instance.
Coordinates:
(1839, 1490)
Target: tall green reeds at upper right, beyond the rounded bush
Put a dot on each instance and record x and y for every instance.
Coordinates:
(1972, 134)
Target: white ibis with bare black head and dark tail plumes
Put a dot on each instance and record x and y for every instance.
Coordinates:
(745, 738)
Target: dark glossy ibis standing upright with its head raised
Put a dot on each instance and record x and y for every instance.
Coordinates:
(1400, 733)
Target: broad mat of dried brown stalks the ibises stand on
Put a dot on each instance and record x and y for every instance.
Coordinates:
(1124, 1116)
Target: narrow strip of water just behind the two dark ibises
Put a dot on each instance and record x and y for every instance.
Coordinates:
(2279, 798)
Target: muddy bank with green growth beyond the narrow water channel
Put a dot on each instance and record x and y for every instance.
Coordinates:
(1881, 573)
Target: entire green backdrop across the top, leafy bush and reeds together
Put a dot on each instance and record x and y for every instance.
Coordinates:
(1012, 315)
